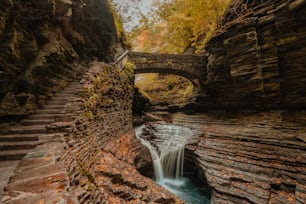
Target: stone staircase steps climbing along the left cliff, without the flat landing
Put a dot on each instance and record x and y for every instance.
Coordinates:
(18, 140)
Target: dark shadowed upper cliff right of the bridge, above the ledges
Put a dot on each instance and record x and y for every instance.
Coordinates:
(257, 57)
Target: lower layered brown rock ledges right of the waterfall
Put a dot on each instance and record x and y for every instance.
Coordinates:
(251, 157)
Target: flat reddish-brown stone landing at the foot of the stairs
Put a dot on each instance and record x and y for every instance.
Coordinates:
(40, 177)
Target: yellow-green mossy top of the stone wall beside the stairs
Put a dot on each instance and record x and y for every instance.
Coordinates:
(108, 88)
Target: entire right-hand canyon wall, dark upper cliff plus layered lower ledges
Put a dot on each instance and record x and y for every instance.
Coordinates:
(256, 62)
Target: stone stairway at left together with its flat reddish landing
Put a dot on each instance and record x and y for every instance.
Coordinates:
(39, 137)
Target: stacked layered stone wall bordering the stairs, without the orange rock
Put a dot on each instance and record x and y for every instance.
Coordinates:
(106, 114)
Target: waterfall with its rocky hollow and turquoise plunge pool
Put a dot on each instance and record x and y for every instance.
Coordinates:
(170, 164)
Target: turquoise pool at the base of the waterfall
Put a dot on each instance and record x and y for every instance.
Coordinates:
(187, 190)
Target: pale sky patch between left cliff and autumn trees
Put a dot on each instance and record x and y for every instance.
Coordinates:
(130, 10)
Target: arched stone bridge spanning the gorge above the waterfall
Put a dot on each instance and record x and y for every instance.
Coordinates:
(192, 67)
